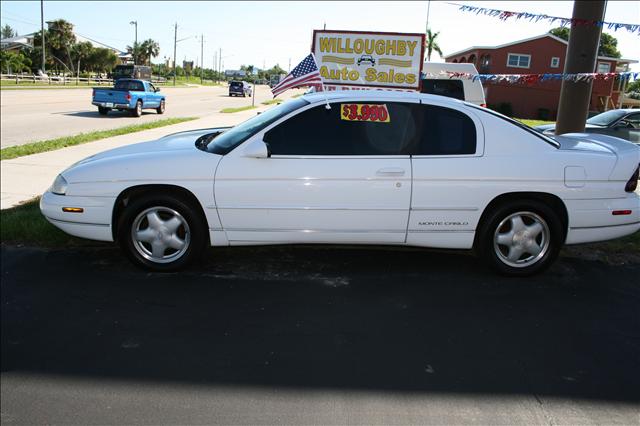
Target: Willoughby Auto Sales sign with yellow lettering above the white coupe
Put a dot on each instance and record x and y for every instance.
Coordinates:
(354, 59)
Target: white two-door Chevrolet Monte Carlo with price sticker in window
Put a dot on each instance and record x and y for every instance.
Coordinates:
(356, 168)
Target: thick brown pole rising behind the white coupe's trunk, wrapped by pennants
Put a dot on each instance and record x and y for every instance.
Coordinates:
(582, 54)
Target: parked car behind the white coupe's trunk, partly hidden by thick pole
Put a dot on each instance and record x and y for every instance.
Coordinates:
(621, 123)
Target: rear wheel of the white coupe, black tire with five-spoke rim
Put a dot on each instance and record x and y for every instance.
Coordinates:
(527, 226)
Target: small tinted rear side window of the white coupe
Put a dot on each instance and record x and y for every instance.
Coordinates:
(446, 131)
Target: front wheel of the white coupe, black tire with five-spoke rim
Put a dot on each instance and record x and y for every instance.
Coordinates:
(192, 231)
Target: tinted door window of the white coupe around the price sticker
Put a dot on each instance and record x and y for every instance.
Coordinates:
(318, 131)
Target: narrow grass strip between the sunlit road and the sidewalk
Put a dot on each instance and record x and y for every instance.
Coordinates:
(53, 144)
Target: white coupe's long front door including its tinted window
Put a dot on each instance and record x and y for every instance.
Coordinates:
(329, 179)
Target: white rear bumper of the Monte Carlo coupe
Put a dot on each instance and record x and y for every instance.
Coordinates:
(593, 220)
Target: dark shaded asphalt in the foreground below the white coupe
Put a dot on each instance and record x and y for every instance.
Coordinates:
(316, 335)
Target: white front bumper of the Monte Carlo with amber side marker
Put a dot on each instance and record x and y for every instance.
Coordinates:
(93, 223)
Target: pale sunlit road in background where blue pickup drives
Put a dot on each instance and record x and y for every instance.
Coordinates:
(33, 115)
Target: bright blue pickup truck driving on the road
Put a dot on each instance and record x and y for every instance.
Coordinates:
(129, 95)
